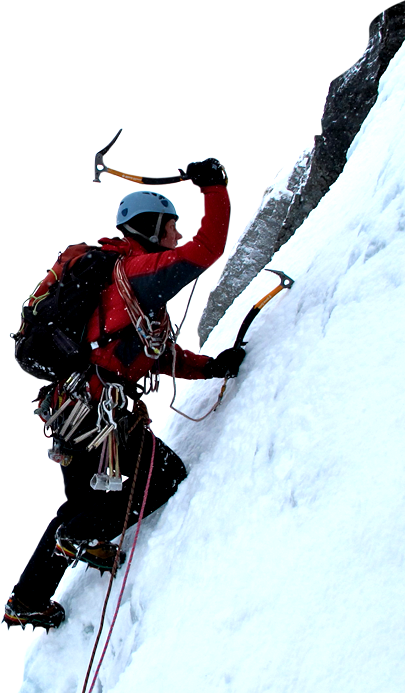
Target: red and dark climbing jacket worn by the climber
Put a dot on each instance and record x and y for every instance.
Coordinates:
(156, 277)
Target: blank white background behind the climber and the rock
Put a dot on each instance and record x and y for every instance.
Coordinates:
(247, 86)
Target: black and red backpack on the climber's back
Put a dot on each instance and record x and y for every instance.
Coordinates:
(49, 344)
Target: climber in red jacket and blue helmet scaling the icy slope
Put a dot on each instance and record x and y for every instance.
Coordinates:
(87, 415)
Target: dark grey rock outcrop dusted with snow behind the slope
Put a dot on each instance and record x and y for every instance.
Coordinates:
(300, 185)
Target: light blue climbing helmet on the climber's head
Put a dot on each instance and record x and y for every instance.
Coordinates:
(141, 213)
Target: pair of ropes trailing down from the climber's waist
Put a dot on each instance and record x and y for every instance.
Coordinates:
(146, 422)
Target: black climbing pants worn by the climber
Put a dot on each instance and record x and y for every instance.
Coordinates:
(89, 514)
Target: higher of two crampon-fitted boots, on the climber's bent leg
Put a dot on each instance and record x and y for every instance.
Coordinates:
(97, 554)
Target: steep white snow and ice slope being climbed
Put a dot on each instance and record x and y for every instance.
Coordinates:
(278, 567)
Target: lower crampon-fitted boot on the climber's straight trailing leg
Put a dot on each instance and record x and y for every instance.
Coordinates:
(16, 613)
